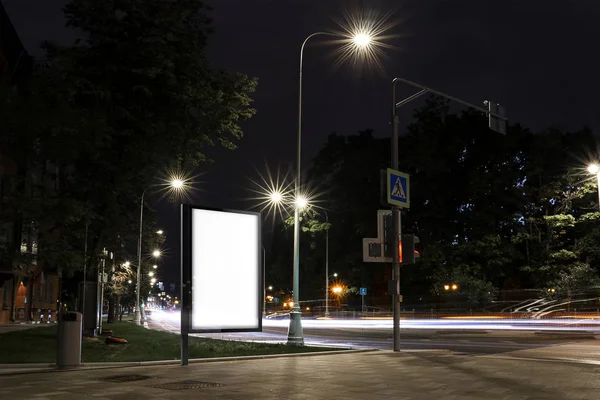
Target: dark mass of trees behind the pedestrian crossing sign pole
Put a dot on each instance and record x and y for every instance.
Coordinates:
(493, 212)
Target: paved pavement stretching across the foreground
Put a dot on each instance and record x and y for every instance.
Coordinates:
(367, 375)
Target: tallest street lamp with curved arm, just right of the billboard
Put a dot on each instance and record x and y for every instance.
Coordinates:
(361, 40)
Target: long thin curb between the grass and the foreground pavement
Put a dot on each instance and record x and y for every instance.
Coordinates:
(23, 369)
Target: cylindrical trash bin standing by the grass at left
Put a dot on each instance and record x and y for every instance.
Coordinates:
(69, 340)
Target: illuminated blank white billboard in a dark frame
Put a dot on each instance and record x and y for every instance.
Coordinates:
(226, 271)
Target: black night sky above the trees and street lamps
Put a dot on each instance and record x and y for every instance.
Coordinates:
(537, 58)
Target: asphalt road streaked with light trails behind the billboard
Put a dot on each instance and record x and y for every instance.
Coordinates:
(470, 342)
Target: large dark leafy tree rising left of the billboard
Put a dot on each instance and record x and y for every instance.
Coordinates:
(134, 98)
